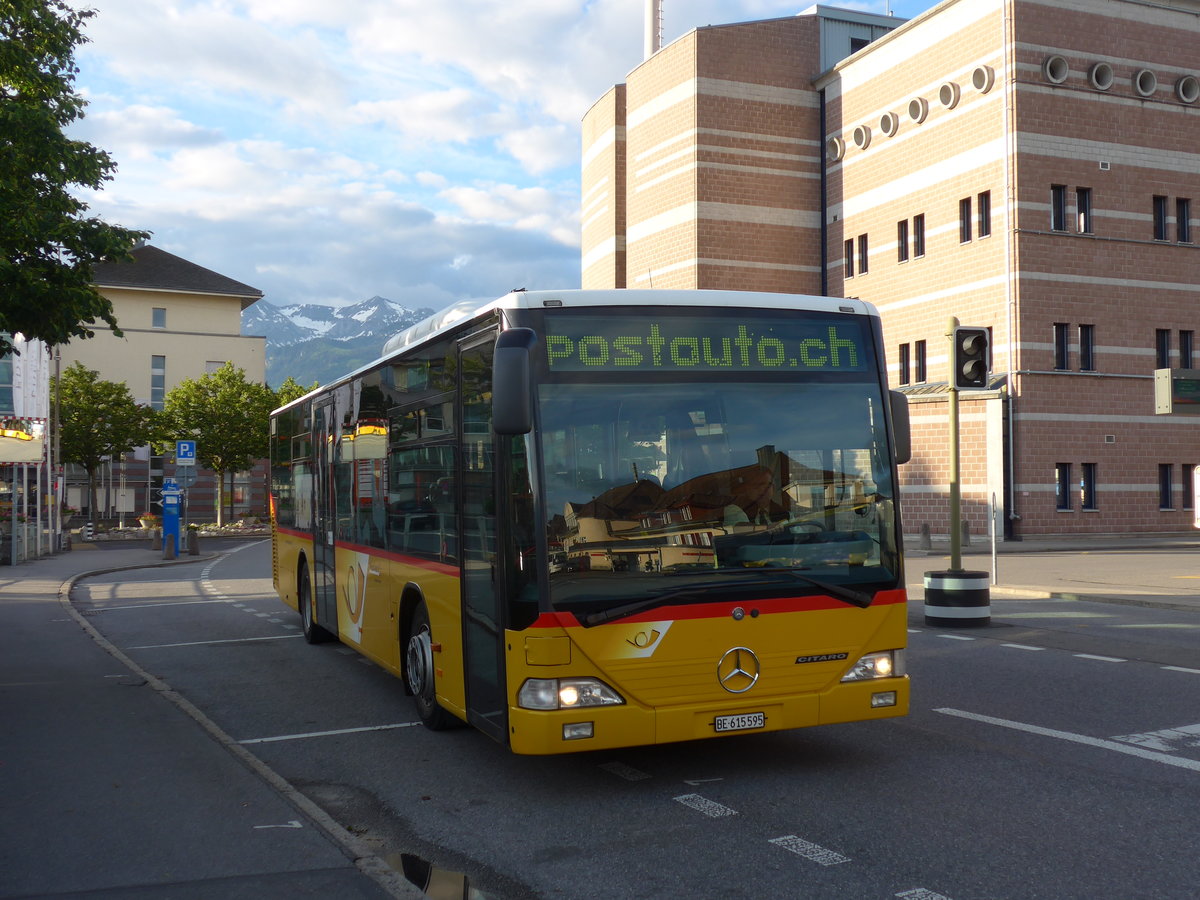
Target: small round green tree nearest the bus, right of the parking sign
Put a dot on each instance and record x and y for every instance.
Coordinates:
(227, 417)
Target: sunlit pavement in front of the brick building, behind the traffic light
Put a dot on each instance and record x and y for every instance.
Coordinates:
(1159, 572)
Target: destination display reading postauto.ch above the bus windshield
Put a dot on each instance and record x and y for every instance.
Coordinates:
(590, 344)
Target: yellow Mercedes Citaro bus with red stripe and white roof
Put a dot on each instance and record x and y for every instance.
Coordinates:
(598, 519)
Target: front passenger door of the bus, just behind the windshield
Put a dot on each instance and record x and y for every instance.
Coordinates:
(482, 602)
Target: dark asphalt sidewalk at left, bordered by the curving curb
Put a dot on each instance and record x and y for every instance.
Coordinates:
(112, 785)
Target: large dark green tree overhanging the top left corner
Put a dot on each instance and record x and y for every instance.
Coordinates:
(49, 247)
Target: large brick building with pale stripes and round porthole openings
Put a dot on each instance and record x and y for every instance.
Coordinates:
(1027, 166)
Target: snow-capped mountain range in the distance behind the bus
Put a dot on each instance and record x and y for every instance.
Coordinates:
(319, 344)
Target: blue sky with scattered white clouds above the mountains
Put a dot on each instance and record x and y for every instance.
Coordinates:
(327, 153)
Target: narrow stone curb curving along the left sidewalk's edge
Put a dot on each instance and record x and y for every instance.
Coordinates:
(364, 860)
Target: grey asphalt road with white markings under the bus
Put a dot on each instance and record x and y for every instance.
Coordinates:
(1055, 754)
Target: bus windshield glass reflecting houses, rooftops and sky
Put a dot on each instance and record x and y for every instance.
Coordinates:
(647, 489)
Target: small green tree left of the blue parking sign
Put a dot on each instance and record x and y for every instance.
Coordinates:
(99, 421)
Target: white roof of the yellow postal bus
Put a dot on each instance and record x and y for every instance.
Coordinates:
(467, 310)
